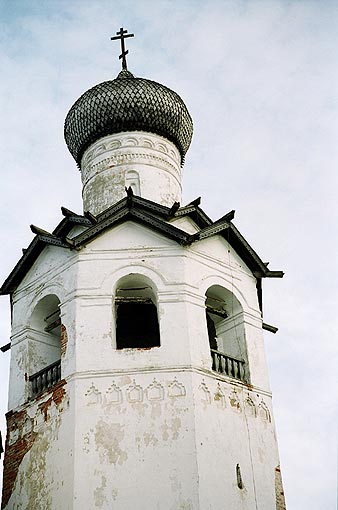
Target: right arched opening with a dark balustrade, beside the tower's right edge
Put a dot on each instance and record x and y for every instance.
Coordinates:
(225, 326)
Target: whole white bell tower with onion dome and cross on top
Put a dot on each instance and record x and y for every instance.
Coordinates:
(138, 374)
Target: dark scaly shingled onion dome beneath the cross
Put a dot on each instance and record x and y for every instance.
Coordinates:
(127, 104)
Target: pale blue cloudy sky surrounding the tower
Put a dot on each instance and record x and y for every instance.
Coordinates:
(260, 81)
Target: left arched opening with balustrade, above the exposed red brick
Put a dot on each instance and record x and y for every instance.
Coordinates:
(45, 345)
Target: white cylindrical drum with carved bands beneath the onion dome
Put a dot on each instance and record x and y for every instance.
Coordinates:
(146, 162)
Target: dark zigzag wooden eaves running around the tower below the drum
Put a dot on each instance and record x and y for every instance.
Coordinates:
(144, 212)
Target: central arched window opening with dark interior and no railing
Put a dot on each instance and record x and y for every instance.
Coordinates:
(136, 314)
